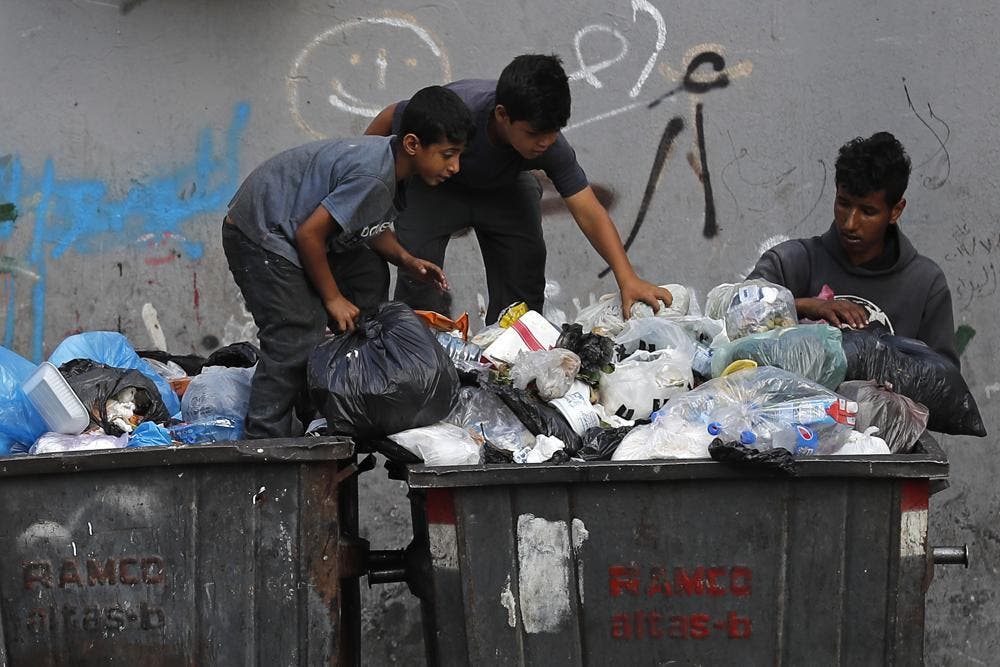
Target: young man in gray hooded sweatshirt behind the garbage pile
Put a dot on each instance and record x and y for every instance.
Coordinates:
(874, 271)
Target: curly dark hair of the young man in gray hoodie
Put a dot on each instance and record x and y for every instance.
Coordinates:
(877, 163)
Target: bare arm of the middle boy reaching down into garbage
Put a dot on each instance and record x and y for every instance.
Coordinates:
(596, 225)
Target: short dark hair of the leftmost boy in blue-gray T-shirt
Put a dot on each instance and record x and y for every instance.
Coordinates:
(436, 114)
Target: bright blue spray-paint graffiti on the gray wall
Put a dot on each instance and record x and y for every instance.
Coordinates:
(79, 214)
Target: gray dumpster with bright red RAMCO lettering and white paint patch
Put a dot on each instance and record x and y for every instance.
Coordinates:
(675, 562)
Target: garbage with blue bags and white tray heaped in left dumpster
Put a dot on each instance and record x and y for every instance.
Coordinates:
(96, 391)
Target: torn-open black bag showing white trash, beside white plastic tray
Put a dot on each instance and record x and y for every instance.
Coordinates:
(118, 399)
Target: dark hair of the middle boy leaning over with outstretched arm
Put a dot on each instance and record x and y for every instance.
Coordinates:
(534, 88)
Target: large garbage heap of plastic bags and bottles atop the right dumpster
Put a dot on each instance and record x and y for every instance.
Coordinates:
(743, 380)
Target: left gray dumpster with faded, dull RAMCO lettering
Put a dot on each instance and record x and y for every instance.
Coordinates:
(223, 554)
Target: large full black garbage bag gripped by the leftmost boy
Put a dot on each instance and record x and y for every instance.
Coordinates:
(388, 375)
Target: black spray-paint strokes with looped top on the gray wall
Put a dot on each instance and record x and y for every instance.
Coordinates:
(674, 127)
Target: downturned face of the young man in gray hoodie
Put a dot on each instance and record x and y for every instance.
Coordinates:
(862, 223)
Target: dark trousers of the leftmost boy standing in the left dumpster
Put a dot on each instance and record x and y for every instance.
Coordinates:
(292, 321)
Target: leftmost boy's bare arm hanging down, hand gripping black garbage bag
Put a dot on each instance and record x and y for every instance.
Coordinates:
(310, 241)
